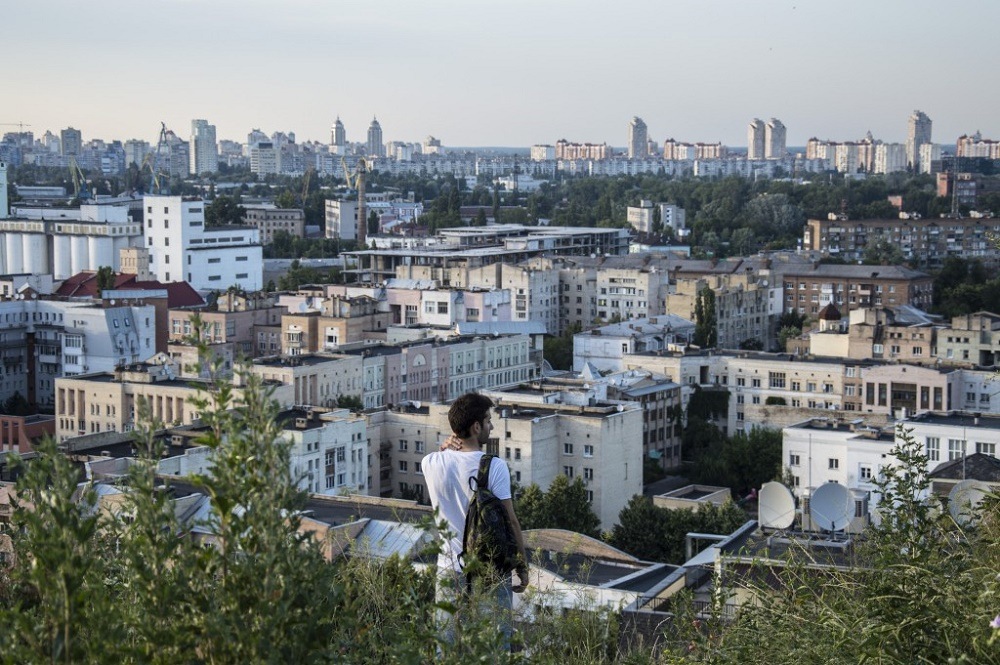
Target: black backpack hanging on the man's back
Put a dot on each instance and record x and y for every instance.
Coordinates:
(488, 538)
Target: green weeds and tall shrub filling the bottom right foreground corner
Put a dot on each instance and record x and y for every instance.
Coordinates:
(922, 590)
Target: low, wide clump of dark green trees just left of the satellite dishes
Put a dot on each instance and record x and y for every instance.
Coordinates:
(658, 534)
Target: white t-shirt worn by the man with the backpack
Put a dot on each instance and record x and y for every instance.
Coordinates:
(447, 473)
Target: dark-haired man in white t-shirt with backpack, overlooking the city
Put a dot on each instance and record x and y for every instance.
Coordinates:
(452, 476)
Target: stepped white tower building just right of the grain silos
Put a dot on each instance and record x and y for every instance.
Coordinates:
(182, 248)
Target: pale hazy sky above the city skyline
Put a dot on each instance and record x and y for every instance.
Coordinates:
(511, 73)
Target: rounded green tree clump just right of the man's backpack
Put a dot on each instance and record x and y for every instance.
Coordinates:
(563, 506)
